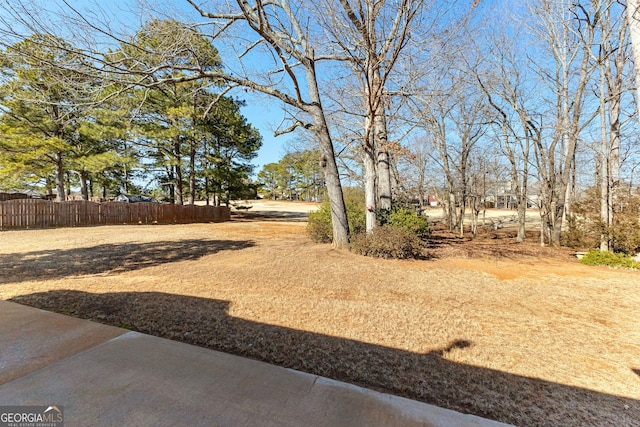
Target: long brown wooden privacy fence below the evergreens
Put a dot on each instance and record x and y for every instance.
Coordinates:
(33, 213)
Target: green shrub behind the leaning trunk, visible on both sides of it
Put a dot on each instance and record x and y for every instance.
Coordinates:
(320, 228)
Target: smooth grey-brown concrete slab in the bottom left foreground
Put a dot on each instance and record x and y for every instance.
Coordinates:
(106, 376)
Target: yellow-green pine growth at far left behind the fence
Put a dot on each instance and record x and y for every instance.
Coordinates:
(49, 122)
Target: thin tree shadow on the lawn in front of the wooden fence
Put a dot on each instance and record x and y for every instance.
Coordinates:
(107, 258)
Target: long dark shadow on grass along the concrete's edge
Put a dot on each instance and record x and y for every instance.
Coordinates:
(426, 377)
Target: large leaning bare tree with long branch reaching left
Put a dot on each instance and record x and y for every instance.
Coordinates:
(283, 32)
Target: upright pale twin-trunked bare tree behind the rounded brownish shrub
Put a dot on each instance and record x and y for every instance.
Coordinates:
(370, 37)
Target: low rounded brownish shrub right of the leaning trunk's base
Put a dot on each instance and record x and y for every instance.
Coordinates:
(388, 242)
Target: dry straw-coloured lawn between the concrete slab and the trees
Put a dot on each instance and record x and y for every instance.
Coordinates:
(516, 333)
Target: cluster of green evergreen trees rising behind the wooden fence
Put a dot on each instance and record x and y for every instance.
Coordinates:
(65, 124)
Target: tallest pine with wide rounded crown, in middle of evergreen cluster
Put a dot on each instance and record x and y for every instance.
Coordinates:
(162, 52)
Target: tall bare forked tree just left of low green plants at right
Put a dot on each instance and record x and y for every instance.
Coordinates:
(566, 32)
